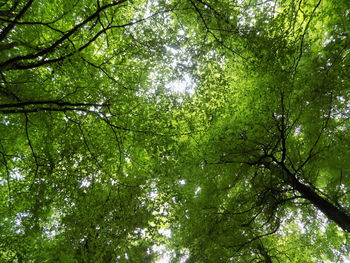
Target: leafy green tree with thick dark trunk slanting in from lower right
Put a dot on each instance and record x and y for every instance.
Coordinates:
(274, 129)
